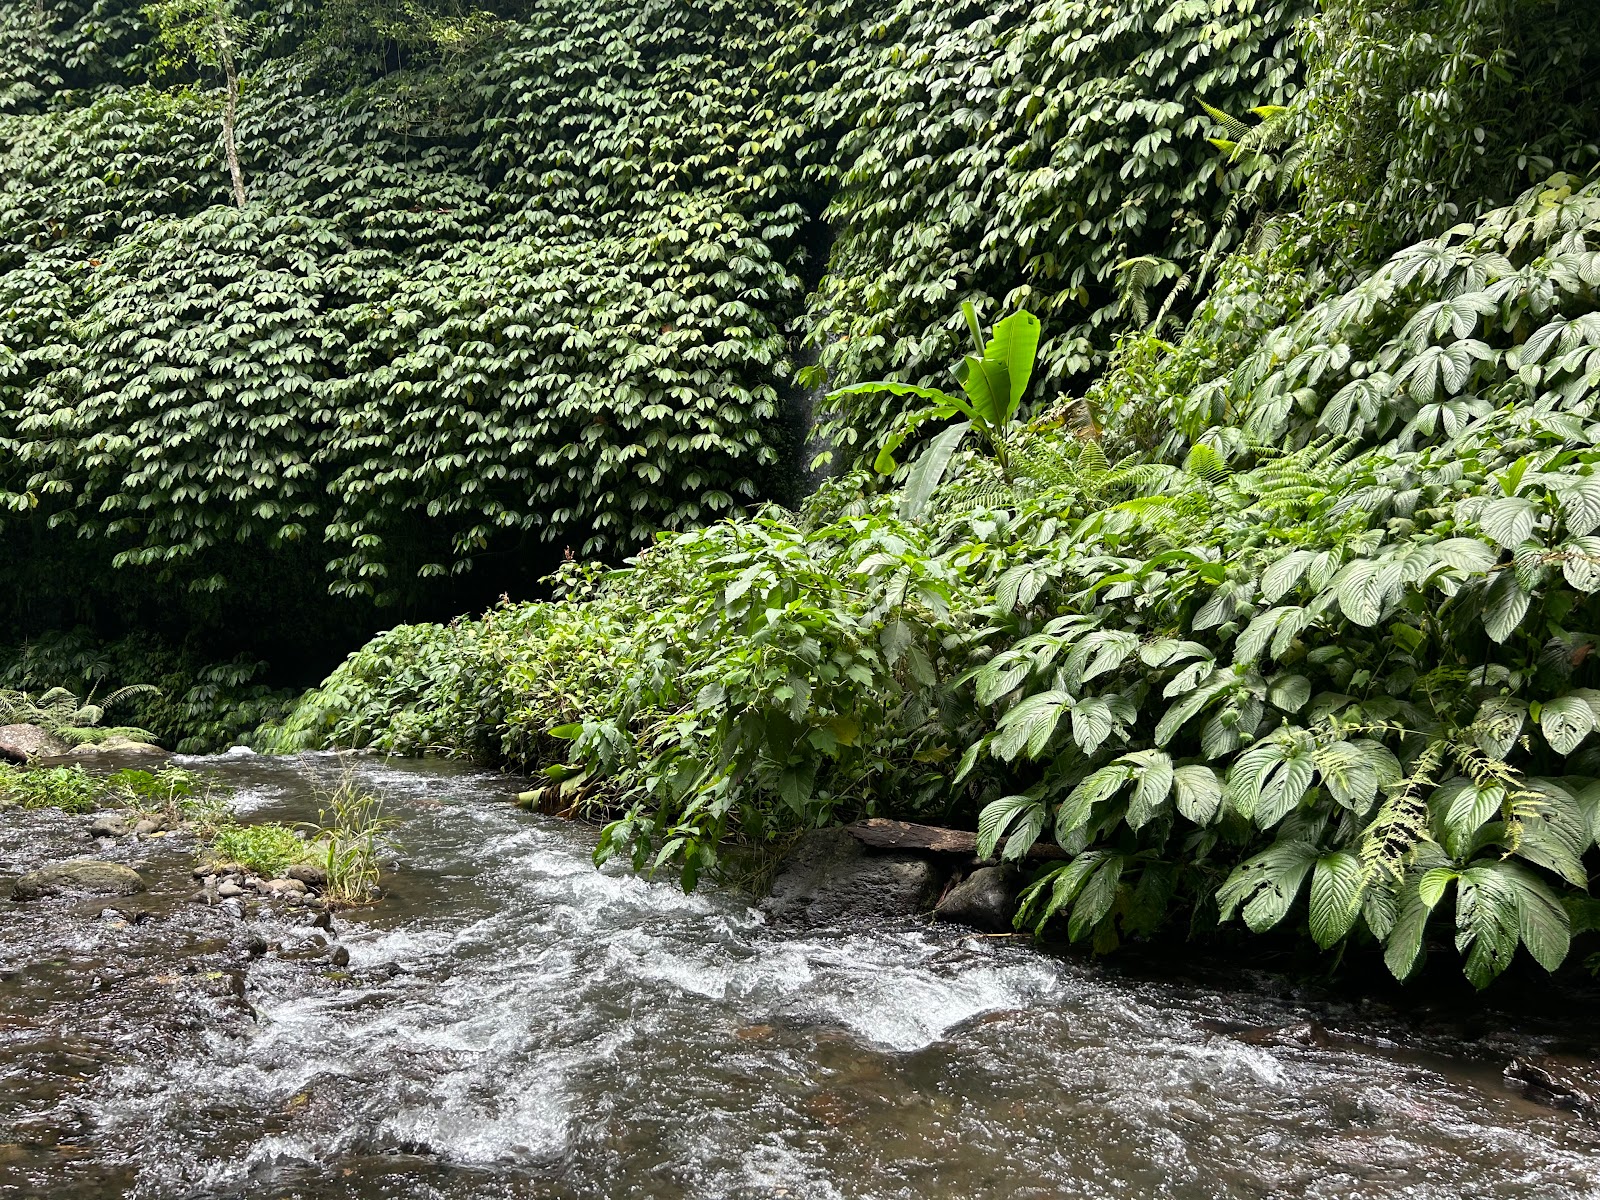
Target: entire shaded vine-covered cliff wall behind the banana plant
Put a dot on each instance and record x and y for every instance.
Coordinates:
(498, 281)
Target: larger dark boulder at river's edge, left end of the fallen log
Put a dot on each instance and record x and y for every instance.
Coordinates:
(830, 878)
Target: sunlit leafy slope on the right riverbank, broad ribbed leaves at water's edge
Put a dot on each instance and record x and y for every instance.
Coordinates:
(1282, 622)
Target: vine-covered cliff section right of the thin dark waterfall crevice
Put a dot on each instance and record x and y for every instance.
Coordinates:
(1018, 156)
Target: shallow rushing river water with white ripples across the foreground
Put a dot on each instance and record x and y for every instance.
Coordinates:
(514, 1023)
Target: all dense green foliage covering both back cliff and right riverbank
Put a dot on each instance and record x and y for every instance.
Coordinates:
(1263, 594)
